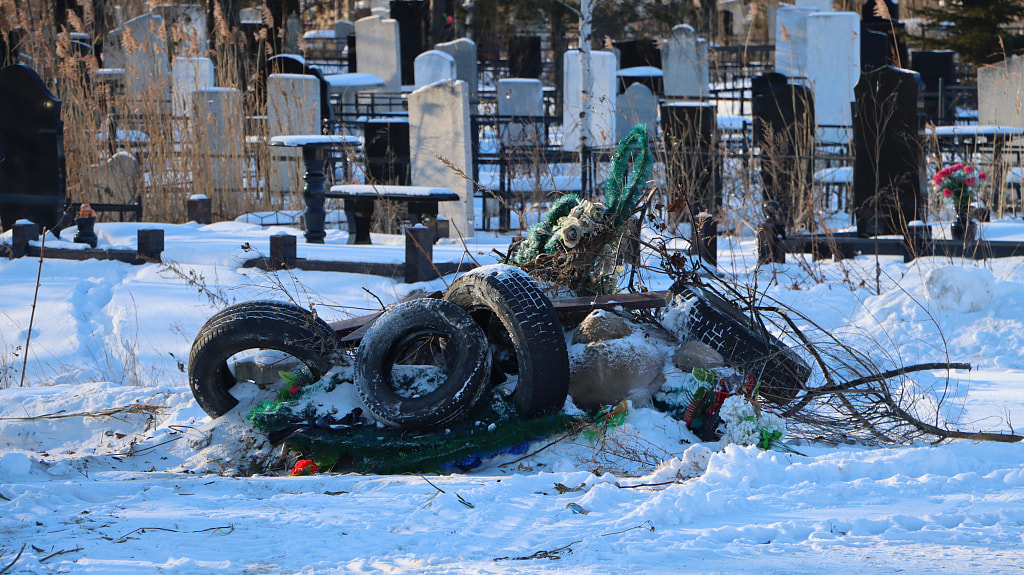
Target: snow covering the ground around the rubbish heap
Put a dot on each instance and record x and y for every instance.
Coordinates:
(109, 466)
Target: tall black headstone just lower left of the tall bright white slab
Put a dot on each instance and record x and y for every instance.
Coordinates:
(784, 131)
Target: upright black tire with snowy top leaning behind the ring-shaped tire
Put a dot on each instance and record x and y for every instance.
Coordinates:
(519, 320)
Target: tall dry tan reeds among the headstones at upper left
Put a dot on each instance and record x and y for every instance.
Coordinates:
(205, 152)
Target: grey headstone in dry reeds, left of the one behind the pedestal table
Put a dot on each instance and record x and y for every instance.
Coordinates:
(220, 129)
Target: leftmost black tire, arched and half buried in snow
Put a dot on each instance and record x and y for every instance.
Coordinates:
(258, 325)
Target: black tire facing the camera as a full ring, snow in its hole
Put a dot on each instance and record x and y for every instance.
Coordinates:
(468, 364)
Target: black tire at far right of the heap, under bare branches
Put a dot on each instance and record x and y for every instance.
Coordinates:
(718, 324)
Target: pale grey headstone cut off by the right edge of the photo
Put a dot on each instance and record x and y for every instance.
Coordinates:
(1001, 94)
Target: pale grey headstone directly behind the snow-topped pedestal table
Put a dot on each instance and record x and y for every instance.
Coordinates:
(292, 109)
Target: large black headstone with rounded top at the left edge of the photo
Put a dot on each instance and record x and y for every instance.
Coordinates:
(32, 156)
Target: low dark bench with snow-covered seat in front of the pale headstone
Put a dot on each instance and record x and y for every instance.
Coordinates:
(422, 203)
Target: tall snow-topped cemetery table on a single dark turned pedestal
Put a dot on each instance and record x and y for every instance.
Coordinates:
(314, 194)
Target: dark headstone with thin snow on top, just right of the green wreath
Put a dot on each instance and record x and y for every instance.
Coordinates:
(694, 166)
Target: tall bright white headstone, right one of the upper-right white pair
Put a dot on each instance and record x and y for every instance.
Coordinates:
(833, 71)
